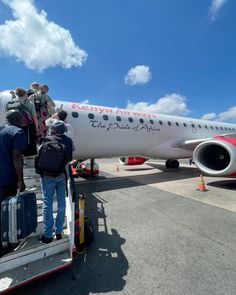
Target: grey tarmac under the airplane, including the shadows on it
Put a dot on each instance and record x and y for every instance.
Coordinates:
(155, 233)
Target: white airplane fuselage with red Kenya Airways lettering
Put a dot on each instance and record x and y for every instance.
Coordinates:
(106, 132)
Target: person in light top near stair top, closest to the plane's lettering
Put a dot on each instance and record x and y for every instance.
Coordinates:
(44, 106)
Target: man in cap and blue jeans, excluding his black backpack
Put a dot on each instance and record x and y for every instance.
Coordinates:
(51, 185)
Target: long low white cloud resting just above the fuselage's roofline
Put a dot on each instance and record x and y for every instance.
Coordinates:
(172, 104)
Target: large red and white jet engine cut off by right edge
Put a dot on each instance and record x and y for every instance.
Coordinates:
(216, 157)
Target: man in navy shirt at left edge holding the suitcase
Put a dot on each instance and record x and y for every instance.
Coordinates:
(12, 144)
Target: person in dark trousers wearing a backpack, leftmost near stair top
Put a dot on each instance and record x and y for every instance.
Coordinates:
(31, 128)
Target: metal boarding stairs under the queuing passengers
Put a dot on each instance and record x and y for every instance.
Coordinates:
(33, 259)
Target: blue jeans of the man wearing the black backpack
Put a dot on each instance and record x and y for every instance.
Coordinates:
(50, 186)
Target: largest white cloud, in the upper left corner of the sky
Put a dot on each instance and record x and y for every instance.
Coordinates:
(39, 43)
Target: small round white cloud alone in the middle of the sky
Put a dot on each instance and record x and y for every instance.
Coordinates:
(138, 75)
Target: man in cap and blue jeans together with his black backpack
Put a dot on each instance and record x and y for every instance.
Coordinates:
(54, 153)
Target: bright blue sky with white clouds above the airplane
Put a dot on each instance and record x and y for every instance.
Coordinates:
(168, 56)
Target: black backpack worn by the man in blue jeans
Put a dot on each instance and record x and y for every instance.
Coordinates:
(51, 158)
